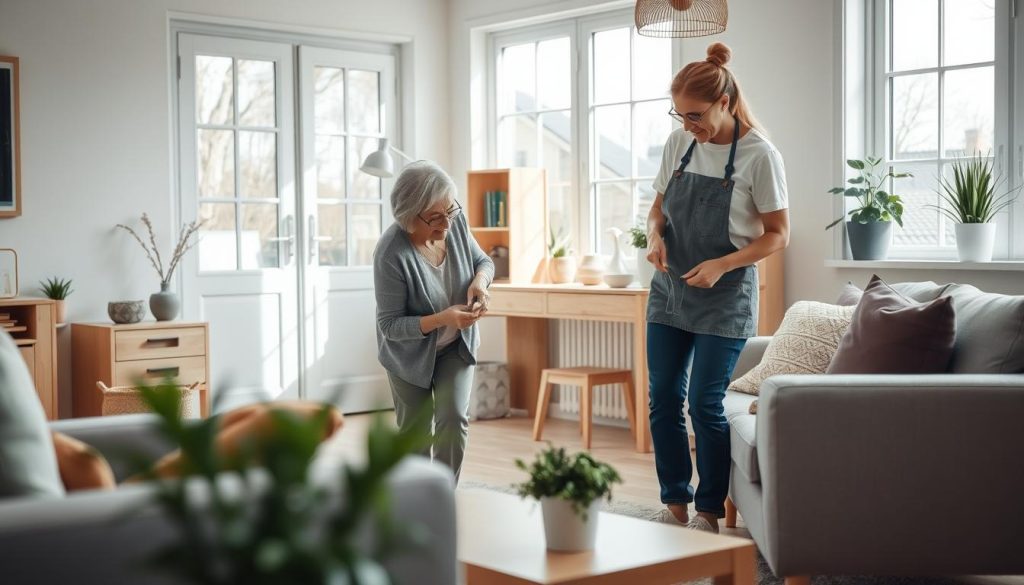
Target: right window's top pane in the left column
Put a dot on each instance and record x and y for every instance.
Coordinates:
(915, 34)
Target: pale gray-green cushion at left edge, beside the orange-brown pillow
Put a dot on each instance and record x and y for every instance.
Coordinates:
(28, 463)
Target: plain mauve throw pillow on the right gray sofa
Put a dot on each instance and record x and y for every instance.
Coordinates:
(891, 335)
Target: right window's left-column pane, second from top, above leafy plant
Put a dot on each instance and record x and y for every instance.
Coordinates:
(916, 116)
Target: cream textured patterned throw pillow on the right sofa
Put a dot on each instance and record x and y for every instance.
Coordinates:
(804, 344)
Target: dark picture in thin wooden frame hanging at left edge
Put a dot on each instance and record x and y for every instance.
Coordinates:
(11, 138)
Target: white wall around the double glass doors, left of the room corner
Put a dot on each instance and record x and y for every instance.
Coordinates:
(97, 140)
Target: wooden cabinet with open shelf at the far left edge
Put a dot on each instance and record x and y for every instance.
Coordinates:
(35, 335)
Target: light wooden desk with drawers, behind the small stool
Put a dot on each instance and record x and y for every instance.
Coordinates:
(530, 307)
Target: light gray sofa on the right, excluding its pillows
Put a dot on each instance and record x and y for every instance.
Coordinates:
(873, 475)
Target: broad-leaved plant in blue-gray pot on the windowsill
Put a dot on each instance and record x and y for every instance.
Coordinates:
(870, 227)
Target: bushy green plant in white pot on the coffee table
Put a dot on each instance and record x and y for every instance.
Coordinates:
(570, 489)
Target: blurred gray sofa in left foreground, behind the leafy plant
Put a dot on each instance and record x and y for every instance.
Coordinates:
(105, 537)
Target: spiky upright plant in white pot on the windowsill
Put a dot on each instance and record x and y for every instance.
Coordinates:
(972, 204)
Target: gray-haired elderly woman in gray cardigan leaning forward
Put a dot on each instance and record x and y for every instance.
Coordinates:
(432, 283)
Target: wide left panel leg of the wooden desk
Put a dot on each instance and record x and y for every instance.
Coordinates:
(527, 346)
